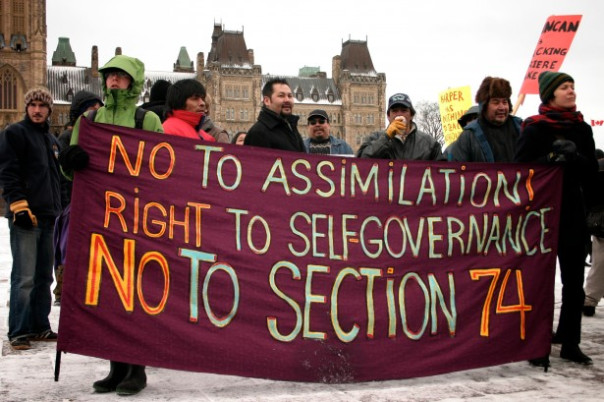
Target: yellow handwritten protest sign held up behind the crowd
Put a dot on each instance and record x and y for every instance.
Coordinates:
(453, 103)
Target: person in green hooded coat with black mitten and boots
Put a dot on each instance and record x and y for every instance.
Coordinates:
(122, 81)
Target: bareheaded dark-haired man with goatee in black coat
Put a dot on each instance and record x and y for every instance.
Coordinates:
(276, 127)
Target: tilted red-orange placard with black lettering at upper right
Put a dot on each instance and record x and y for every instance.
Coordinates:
(553, 45)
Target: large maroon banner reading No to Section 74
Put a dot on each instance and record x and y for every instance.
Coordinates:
(245, 261)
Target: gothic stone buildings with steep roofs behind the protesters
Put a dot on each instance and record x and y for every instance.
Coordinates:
(354, 97)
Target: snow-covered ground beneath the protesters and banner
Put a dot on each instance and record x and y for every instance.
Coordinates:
(29, 375)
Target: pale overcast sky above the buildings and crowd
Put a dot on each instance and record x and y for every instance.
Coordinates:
(423, 47)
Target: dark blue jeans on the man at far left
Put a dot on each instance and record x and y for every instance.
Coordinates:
(31, 278)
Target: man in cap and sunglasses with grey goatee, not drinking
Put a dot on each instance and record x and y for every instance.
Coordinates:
(319, 140)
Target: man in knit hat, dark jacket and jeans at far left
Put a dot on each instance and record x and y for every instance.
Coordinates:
(29, 176)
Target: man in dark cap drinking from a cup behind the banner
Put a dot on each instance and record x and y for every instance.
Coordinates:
(401, 139)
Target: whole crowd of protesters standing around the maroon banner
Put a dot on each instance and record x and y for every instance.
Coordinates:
(36, 169)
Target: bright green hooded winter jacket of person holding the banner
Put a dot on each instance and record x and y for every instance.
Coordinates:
(120, 104)
